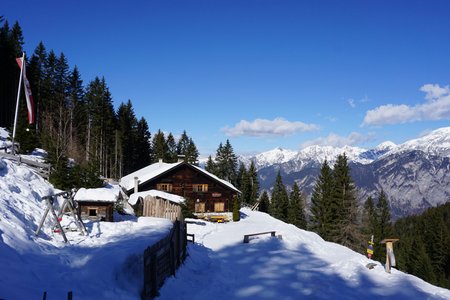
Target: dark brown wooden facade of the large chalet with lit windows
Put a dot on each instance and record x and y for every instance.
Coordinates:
(203, 193)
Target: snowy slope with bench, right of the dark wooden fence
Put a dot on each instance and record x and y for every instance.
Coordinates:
(300, 266)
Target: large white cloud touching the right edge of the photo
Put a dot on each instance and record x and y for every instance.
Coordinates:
(437, 107)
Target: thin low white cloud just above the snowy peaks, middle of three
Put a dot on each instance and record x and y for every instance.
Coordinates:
(335, 140)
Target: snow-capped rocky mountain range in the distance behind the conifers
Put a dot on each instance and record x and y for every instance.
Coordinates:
(415, 175)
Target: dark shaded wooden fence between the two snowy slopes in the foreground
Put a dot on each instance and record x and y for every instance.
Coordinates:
(162, 259)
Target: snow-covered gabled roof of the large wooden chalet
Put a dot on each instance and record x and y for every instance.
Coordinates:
(156, 169)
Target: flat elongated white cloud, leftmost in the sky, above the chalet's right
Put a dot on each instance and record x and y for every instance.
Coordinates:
(263, 128)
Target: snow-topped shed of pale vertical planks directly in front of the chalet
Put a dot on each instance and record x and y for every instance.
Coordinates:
(157, 204)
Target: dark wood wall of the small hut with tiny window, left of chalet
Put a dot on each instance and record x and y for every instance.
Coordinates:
(96, 210)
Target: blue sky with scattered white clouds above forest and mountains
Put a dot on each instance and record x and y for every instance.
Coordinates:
(261, 73)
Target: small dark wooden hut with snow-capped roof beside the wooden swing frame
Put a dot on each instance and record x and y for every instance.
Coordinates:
(97, 204)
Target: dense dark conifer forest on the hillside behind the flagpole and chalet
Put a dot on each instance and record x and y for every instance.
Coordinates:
(85, 136)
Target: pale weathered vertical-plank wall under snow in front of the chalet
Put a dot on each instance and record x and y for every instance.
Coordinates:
(161, 208)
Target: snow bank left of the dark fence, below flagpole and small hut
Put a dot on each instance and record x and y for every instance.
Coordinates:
(106, 264)
